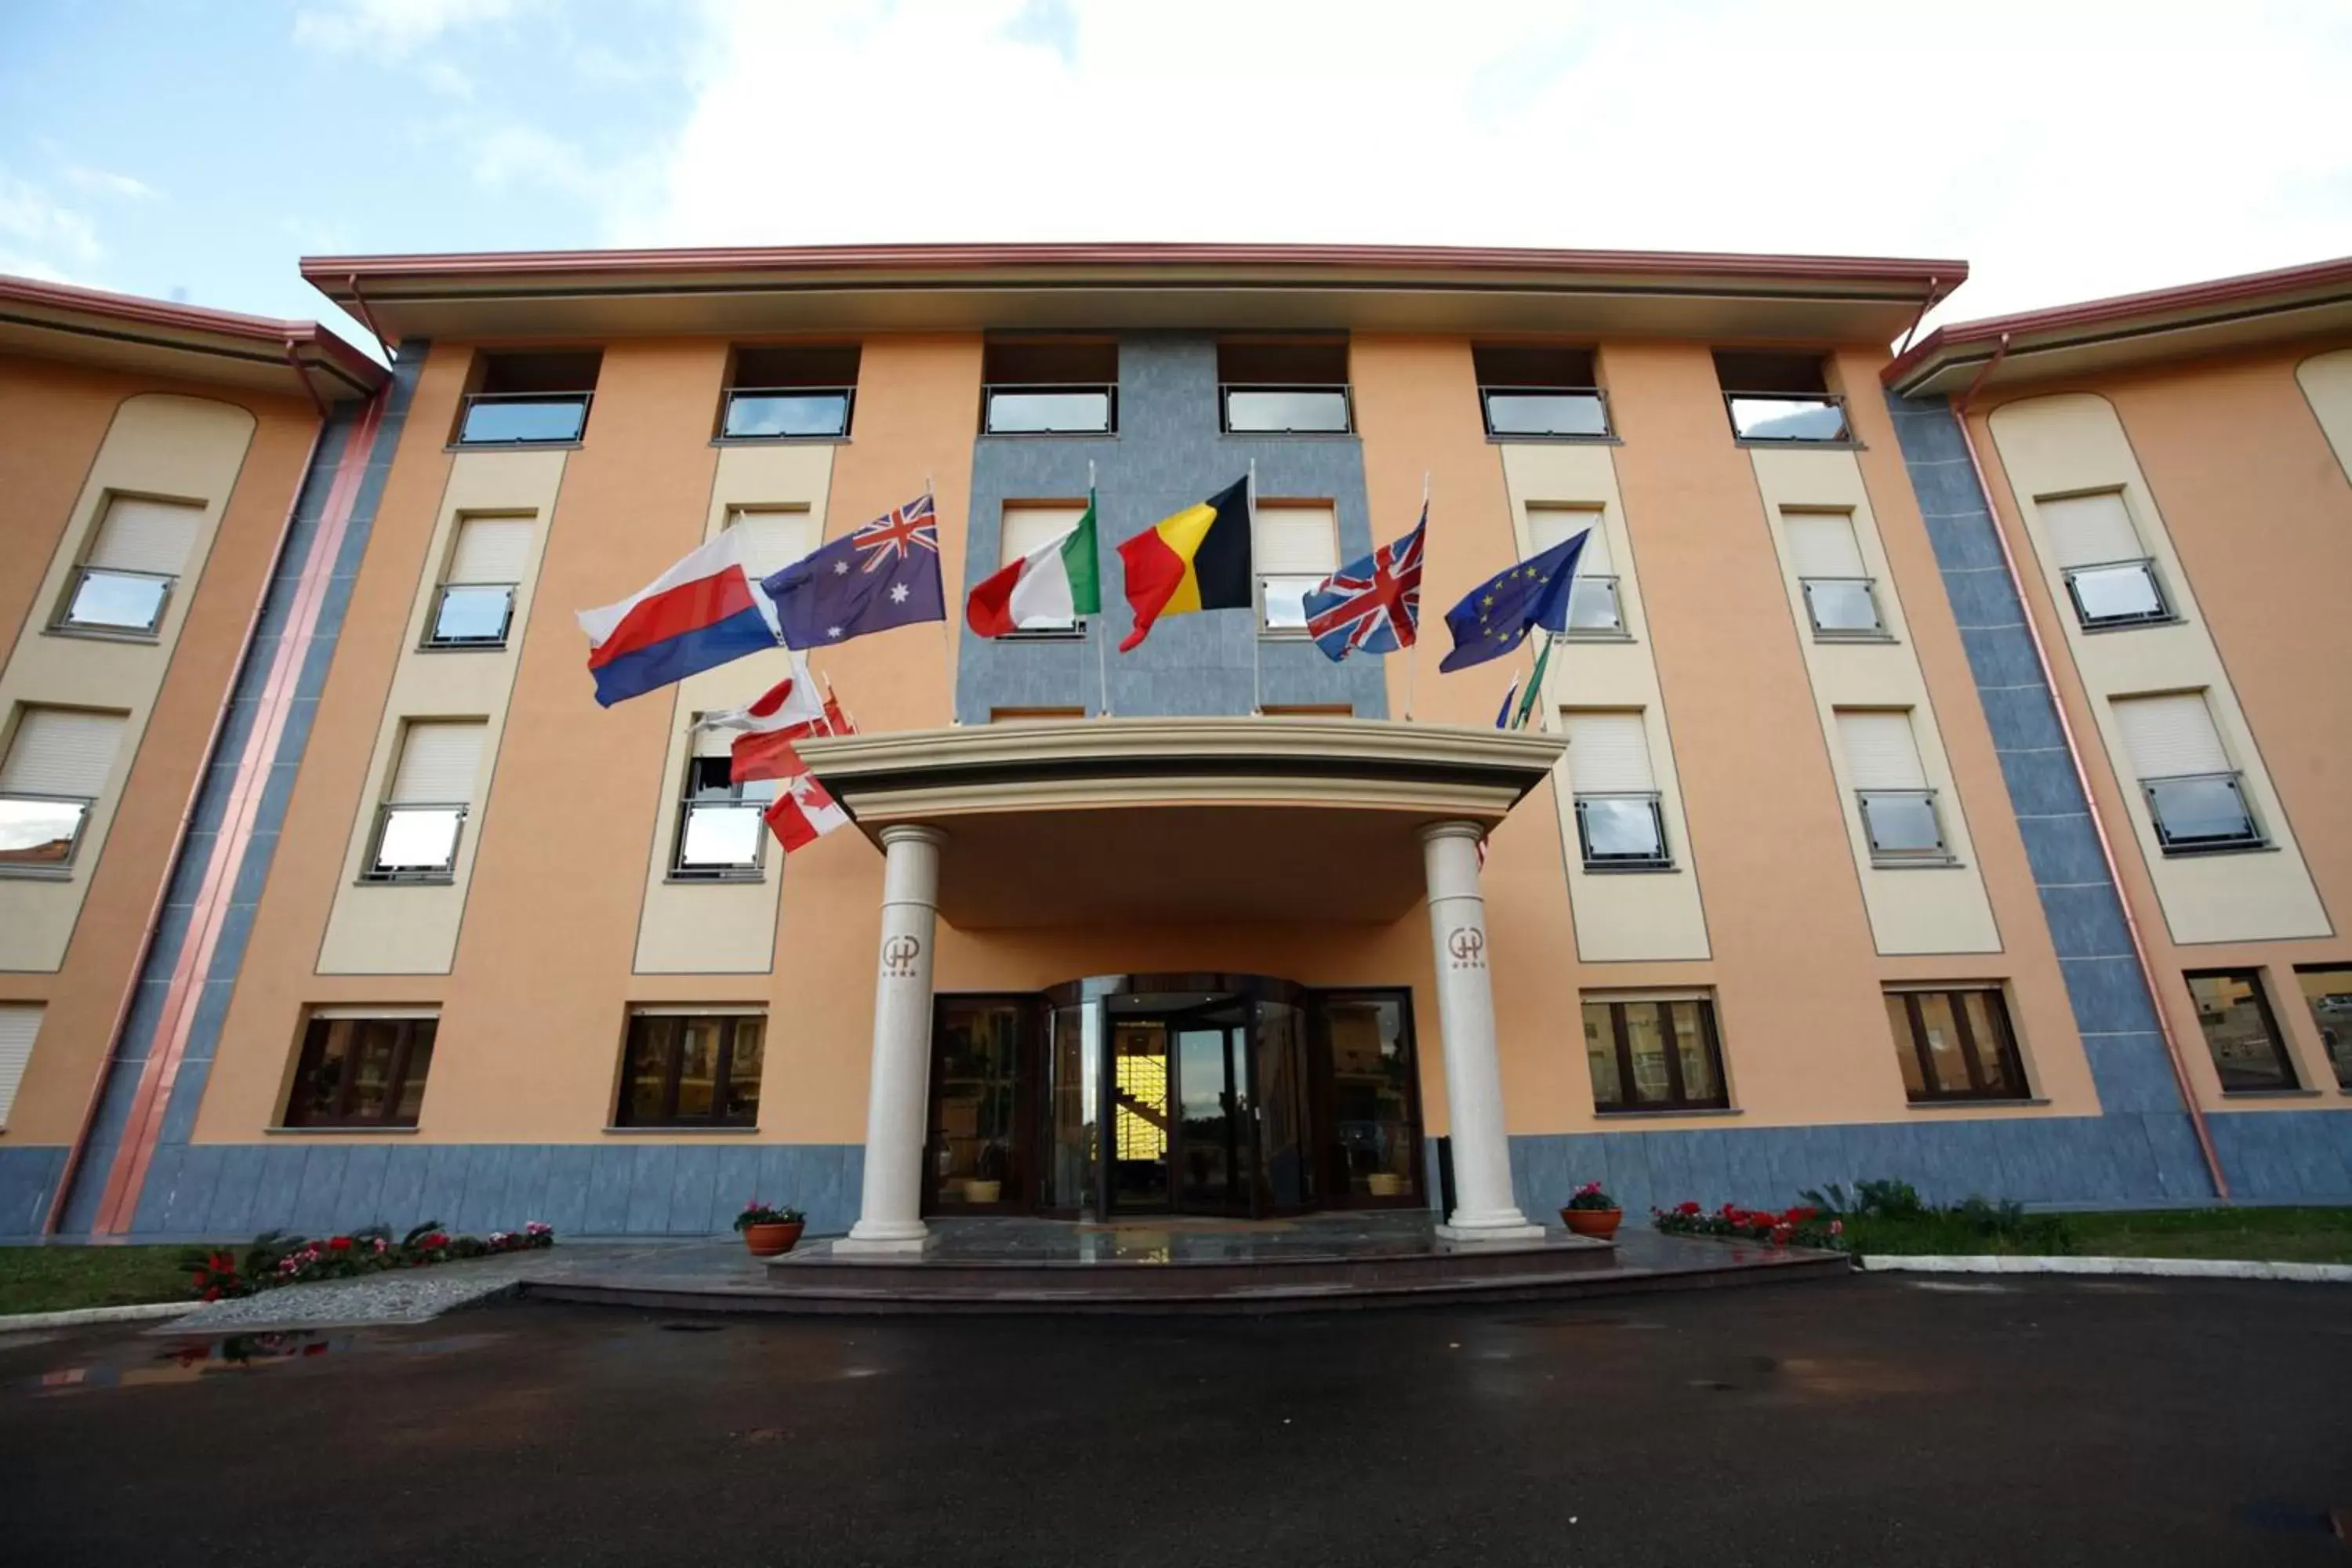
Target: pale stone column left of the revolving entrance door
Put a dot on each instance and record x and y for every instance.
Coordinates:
(890, 1207)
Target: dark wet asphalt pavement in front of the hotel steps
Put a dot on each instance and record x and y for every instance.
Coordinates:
(1866, 1421)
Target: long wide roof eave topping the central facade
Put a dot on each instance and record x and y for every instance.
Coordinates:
(970, 288)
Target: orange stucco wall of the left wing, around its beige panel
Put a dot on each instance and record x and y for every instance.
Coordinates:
(53, 420)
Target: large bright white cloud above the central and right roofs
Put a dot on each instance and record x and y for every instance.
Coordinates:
(2064, 152)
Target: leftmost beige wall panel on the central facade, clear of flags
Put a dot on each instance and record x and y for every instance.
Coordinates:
(401, 927)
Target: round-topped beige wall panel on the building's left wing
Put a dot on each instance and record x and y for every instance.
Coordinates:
(159, 445)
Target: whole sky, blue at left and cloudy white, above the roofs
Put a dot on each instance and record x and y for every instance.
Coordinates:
(2066, 149)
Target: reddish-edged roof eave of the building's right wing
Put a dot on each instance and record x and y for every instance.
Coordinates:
(2134, 330)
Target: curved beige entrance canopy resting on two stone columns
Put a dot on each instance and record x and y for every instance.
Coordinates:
(1257, 819)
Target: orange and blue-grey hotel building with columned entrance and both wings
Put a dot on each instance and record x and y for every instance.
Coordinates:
(1939, 777)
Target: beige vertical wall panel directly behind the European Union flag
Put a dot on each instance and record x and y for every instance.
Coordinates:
(1619, 916)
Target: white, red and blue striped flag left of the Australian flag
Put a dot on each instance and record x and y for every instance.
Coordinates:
(695, 617)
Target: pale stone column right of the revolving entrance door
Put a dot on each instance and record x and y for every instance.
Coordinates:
(1483, 1200)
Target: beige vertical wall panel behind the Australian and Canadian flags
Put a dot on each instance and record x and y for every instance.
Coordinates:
(726, 927)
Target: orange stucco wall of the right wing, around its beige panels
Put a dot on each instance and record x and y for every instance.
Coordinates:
(2261, 518)
